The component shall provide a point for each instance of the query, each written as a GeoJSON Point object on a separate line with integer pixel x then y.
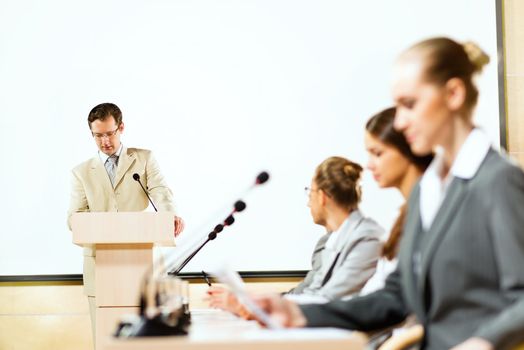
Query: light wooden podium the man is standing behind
{"type": "Point", "coordinates": [124, 252]}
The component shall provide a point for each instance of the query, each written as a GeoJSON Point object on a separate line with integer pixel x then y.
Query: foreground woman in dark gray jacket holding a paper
{"type": "Point", "coordinates": [461, 259]}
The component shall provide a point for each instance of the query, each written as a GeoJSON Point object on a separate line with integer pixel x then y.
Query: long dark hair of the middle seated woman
{"type": "Point", "coordinates": [381, 127]}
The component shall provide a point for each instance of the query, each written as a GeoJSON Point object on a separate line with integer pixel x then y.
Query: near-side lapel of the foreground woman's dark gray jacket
{"type": "Point", "coordinates": [445, 215]}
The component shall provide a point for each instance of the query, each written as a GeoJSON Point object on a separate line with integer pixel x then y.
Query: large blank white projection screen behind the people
{"type": "Point", "coordinates": [219, 90]}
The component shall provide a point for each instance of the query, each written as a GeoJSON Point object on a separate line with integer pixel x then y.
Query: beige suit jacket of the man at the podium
{"type": "Point", "coordinates": [92, 192]}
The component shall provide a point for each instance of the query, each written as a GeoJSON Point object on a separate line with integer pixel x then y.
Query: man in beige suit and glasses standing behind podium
{"type": "Point", "coordinates": [105, 182]}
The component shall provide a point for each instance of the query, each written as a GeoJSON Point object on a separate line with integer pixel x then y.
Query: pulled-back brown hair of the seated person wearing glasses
{"type": "Point", "coordinates": [339, 178]}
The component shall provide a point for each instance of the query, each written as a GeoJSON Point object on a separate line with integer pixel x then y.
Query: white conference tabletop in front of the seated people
{"type": "Point", "coordinates": [219, 330]}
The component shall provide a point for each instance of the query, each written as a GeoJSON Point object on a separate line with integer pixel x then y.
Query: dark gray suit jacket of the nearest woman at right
{"type": "Point", "coordinates": [464, 277]}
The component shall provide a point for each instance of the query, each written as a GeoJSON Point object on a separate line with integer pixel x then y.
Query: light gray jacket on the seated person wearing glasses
{"type": "Point", "coordinates": [354, 261]}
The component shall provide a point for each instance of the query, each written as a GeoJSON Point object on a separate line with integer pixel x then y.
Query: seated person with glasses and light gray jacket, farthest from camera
{"type": "Point", "coordinates": [346, 256]}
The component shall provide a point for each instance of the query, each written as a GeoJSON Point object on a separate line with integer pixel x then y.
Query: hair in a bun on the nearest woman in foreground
{"type": "Point", "coordinates": [446, 59]}
